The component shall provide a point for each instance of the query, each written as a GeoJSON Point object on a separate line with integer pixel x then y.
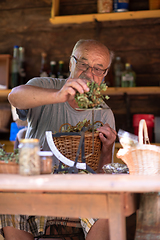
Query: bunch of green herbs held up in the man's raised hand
{"type": "Point", "coordinates": [93, 98]}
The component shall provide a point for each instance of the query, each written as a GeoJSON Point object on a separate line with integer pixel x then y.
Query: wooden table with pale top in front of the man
{"type": "Point", "coordinates": [81, 195]}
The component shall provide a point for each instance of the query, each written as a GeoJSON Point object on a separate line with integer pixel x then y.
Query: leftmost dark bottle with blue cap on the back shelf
{"type": "Point", "coordinates": [15, 68]}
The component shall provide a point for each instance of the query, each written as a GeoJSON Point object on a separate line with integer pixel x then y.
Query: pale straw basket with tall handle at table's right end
{"type": "Point", "coordinates": [143, 159]}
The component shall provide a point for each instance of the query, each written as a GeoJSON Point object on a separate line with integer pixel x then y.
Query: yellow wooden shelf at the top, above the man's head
{"type": "Point", "coordinates": [69, 19]}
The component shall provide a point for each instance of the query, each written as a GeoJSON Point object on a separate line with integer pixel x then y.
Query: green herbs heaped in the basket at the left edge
{"type": "Point", "coordinates": [9, 157]}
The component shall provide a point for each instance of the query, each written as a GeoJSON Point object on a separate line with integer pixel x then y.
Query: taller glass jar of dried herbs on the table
{"type": "Point", "coordinates": [29, 161]}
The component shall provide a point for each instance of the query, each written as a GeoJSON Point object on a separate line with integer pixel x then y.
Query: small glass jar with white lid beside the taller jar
{"type": "Point", "coordinates": [46, 161]}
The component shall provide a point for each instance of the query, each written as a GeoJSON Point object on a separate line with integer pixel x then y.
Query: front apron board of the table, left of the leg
{"type": "Point", "coordinates": [31, 204]}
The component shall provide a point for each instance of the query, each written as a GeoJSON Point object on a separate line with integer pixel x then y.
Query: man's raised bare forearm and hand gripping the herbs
{"type": "Point", "coordinates": [27, 96]}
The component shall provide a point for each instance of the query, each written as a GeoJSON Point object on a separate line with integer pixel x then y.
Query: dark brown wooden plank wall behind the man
{"type": "Point", "coordinates": [26, 23]}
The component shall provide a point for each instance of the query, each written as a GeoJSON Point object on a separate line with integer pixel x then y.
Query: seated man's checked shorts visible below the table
{"type": "Point", "coordinates": [37, 224]}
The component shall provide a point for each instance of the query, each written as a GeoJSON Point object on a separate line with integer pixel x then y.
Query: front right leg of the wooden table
{"type": "Point", "coordinates": [117, 220]}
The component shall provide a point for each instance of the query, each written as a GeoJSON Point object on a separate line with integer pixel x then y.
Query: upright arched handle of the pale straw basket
{"type": "Point", "coordinates": [143, 129]}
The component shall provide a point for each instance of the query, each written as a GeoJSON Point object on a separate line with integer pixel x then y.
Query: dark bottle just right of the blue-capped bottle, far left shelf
{"type": "Point", "coordinates": [22, 70]}
